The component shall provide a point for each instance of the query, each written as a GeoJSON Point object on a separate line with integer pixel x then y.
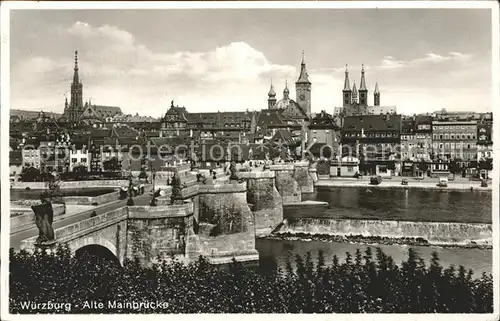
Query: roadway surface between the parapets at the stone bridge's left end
{"type": "Point", "coordinates": [16, 238]}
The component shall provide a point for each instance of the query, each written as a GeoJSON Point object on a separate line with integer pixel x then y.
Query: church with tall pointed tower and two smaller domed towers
{"type": "Point", "coordinates": [300, 109]}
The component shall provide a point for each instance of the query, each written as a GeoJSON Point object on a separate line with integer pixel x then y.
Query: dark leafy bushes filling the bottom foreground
{"type": "Point", "coordinates": [365, 282]}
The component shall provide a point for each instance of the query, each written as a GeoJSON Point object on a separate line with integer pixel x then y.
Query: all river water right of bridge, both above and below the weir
{"type": "Point", "coordinates": [391, 204]}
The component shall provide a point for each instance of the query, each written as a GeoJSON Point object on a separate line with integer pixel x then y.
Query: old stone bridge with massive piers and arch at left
{"type": "Point", "coordinates": [219, 221]}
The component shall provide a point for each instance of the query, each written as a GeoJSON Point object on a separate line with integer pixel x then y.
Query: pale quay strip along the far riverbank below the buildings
{"type": "Point", "coordinates": [395, 183]}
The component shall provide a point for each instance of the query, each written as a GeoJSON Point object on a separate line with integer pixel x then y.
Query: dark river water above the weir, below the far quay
{"type": "Point", "coordinates": [402, 205]}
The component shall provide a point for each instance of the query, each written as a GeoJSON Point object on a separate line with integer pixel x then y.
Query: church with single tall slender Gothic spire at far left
{"type": "Point", "coordinates": [76, 112]}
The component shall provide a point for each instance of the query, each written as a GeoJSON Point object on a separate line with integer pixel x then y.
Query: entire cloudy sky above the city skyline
{"type": "Point", "coordinates": [225, 59]}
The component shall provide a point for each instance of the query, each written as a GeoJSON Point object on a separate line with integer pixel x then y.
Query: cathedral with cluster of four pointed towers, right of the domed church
{"type": "Point", "coordinates": [355, 101]}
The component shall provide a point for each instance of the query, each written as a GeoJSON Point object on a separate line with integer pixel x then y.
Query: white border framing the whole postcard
{"type": "Point", "coordinates": [4, 130]}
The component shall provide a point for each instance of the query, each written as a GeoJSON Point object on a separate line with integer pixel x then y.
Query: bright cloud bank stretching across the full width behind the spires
{"type": "Point", "coordinates": [117, 69]}
